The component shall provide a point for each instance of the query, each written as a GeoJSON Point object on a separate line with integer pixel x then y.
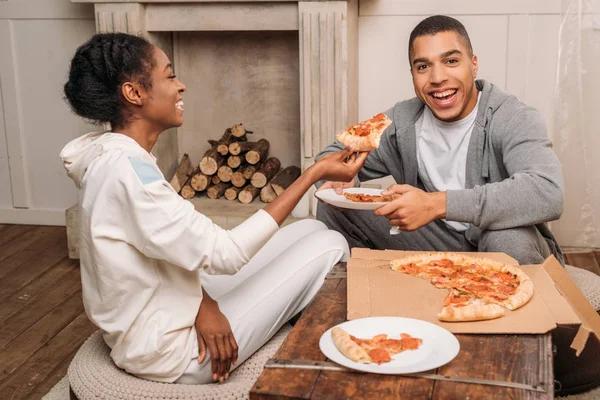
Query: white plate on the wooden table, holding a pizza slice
{"type": "Point", "coordinates": [438, 348]}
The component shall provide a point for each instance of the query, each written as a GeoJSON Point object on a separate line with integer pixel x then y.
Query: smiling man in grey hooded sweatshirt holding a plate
{"type": "Point", "coordinates": [475, 167]}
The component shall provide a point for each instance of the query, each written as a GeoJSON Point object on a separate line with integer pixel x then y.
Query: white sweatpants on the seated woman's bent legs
{"type": "Point", "coordinates": [277, 283]}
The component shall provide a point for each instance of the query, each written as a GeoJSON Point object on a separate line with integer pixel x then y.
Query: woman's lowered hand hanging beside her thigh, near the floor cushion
{"type": "Point", "coordinates": [214, 332]}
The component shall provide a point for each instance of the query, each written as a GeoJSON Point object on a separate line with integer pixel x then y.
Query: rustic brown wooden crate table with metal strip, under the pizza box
{"type": "Point", "coordinates": [524, 361]}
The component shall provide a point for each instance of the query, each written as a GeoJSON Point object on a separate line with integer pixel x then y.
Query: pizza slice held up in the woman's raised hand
{"type": "Point", "coordinates": [365, 135]}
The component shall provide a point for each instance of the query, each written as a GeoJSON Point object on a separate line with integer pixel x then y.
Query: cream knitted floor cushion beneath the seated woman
{"type": "Point", "coordinates": [93, 375]}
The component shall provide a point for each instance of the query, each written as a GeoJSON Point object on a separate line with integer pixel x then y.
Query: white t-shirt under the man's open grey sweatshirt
{"type": "Point", "coordinates": [442, 154]}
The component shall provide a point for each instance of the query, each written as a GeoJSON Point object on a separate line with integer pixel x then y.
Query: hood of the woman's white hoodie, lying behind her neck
{"type": "Point", "coordinates": [79, 153]}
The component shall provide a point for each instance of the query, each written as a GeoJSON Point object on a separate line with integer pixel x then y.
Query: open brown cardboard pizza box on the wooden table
{"type": "Point", "coordinates": [374, 289]}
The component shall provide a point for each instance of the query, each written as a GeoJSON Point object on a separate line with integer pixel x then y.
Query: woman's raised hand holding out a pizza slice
{"type": "Point", "coordinates": [341, 166]}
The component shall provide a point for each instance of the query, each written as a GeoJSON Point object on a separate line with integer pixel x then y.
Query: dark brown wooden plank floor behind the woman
{"type": "Point", "coordinates": [42, 322]}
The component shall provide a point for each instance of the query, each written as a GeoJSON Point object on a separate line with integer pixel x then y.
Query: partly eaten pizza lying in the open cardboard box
{"type": "Point", "coordinates": [478, 288]}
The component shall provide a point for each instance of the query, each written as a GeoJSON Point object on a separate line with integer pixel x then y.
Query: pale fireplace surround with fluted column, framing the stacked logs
{"type": "Point", "coordinates": [327, 37]}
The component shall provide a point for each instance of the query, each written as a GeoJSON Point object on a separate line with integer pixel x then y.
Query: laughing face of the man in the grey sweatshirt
{"type": "Point", "coordinates": [444, 74]}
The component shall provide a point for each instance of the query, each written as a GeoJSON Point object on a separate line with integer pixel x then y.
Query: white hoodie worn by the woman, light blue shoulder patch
{"type": "Point", "coordinates": [141, 246]}
